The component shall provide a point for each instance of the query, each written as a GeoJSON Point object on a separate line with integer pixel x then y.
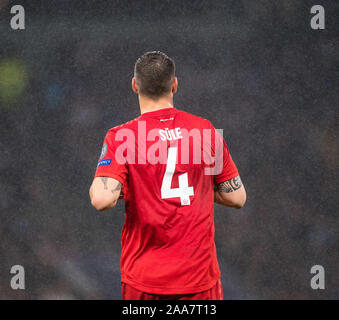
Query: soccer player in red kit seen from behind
{"type": "Point", "coordinates": [161, 164]}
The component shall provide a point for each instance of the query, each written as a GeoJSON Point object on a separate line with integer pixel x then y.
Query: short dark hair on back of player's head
{"type": "Point", "coordinates": [154, 72]}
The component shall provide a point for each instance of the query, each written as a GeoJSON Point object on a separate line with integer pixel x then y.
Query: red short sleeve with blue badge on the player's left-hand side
{"type": "Point", "coordinates": [108, 164]}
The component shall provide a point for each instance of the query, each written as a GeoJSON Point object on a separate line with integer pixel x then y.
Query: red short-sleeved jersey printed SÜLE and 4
{"type": "Point", "coordinates": [168, 236]}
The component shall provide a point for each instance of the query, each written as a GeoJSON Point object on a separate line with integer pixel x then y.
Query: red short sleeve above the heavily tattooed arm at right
{"type": "Point", "coordinates": [228, 169]}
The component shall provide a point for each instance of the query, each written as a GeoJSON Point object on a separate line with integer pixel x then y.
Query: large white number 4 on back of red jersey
{"type": "Point", "coordinates": [184, 191]}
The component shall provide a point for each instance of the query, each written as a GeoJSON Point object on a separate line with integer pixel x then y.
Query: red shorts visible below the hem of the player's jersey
{"type": "Point", "coordinates": [214, 293]}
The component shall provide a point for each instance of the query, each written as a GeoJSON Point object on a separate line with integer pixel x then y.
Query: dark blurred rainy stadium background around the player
{"type": "Point", "coordinates": [254, 68]}
